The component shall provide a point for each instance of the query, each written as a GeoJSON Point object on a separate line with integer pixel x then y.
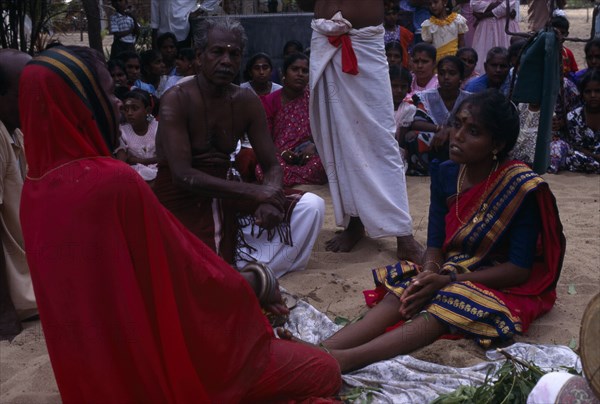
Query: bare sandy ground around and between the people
{"type": "Point", "coordinates": [333, 282]}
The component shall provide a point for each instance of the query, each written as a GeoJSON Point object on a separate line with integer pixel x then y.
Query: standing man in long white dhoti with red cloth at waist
{"type": "Point", "coordinates": [352, 121]}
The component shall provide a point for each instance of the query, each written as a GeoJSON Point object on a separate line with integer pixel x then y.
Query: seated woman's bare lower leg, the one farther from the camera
{"type": "Point", "coordinates": [375, 322]}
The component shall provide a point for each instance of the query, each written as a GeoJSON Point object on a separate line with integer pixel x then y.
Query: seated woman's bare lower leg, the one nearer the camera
{"type": "Point", "coordinates": [423, 330]}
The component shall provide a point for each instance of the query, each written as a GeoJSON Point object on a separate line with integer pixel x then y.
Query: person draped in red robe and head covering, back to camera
{"type": "Point", "coordinates": [134, 308]}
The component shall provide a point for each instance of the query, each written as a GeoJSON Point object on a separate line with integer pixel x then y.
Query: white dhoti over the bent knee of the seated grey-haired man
{"type": "Point", "coordinates": [305, 224]}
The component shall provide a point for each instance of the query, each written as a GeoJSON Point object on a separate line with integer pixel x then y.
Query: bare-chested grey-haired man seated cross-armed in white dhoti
{"type": "Point", "coordinates": [201, 122]}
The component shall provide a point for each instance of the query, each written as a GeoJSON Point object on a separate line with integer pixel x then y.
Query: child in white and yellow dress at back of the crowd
{"type": "Point", "coordinates": [445, 31]}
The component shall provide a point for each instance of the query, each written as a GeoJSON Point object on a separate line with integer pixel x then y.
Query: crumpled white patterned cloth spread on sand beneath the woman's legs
{"type": "Point", "coordinates": [405, 379]}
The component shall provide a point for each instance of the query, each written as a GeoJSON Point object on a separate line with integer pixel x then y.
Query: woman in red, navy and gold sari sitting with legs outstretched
{"type": "Point", "coordinates": [495, 248]}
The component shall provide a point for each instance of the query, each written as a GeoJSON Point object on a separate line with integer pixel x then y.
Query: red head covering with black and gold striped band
{"type": "Point", "coordinates": [65, 113]}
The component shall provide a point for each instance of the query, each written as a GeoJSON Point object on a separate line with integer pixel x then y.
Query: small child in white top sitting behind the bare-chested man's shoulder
{"type": "Point", "coordinates": [137, 144]}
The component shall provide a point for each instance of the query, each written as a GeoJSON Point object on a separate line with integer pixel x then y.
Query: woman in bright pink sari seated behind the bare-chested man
{"type": "Point", "coordinates": [287, 116]}
